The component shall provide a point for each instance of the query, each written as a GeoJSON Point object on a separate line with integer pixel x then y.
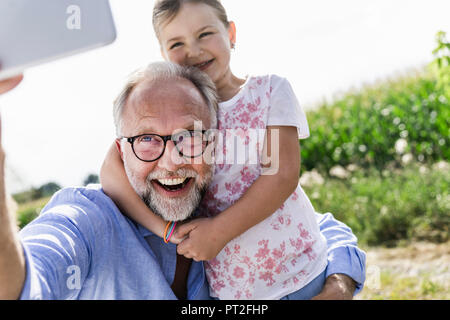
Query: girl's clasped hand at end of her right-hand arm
{"type": "Point", "coordinates": [203, 241]}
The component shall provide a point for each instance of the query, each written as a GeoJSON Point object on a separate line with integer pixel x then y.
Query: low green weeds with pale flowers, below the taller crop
{"type": "Point", "coordinates": [382, 208]}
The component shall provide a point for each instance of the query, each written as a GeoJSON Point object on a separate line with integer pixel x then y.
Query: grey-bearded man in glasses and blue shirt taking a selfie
{"type": "Point", "coordinates": [82, 247]}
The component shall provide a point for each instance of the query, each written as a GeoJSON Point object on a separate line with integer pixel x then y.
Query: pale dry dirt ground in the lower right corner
{"type": "Point", "coordinates": [416, 271]}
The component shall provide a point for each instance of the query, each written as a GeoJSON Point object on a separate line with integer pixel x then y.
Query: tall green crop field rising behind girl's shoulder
{"type": "Point", "coordinates": [363, 127]}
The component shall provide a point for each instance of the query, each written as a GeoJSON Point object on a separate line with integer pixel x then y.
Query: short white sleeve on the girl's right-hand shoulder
{"type": "Point", "coordinates": [285, 110]}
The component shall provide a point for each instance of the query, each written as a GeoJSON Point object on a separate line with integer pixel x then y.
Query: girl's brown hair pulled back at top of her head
{"type": "Point", "coordinates": [166, 10]}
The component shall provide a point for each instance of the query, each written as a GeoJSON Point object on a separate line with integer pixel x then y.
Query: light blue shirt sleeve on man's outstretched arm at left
{"type": "Point", "coordinates": [57, 247]}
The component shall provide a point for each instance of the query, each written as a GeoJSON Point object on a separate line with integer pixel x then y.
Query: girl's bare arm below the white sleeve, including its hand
{"type": "Point", "coordinates": [208, 236]}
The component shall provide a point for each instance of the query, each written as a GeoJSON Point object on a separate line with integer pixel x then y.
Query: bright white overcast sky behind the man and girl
{"type": "Point", "coordinates": [57, 125]}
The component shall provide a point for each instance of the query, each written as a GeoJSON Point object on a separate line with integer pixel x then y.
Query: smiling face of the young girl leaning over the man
{"type": "Point", "coordinates": [197, 37]}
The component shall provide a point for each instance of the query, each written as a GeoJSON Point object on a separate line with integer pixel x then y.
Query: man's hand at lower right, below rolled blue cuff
{"type": "Point", "coordinates": [337, 287]}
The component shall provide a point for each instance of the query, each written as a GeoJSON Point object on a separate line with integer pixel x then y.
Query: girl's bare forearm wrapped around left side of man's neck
{"type": "Point", "coordinates": [116, 185]}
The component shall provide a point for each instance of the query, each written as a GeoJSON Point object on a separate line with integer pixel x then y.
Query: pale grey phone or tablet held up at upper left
{"type": "Point", "coordinates": [33, 32]}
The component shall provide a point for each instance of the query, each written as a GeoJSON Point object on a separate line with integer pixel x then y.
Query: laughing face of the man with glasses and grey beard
{"type": "Point", "coordinates": [173, 185]}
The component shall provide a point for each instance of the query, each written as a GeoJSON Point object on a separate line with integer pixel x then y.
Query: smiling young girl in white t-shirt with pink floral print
{"type": "Point", "coordinates": [258, 232]}
